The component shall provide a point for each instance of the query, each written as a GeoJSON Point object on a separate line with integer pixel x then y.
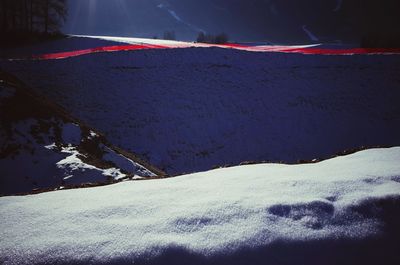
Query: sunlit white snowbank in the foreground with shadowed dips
{"type": "Point", "coordinates": [226, 216]}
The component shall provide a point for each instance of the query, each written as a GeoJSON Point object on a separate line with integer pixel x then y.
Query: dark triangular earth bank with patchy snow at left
{"type": "Point", "coordinates": [41, 147]}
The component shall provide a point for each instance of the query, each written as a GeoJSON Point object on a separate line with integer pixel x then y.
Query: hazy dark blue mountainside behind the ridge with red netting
{"type": "Point", "coordinates": [279, 21]}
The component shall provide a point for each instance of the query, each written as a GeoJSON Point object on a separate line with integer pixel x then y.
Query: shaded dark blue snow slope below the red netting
{"type": "Point", "coordinates": [187, 110]}
